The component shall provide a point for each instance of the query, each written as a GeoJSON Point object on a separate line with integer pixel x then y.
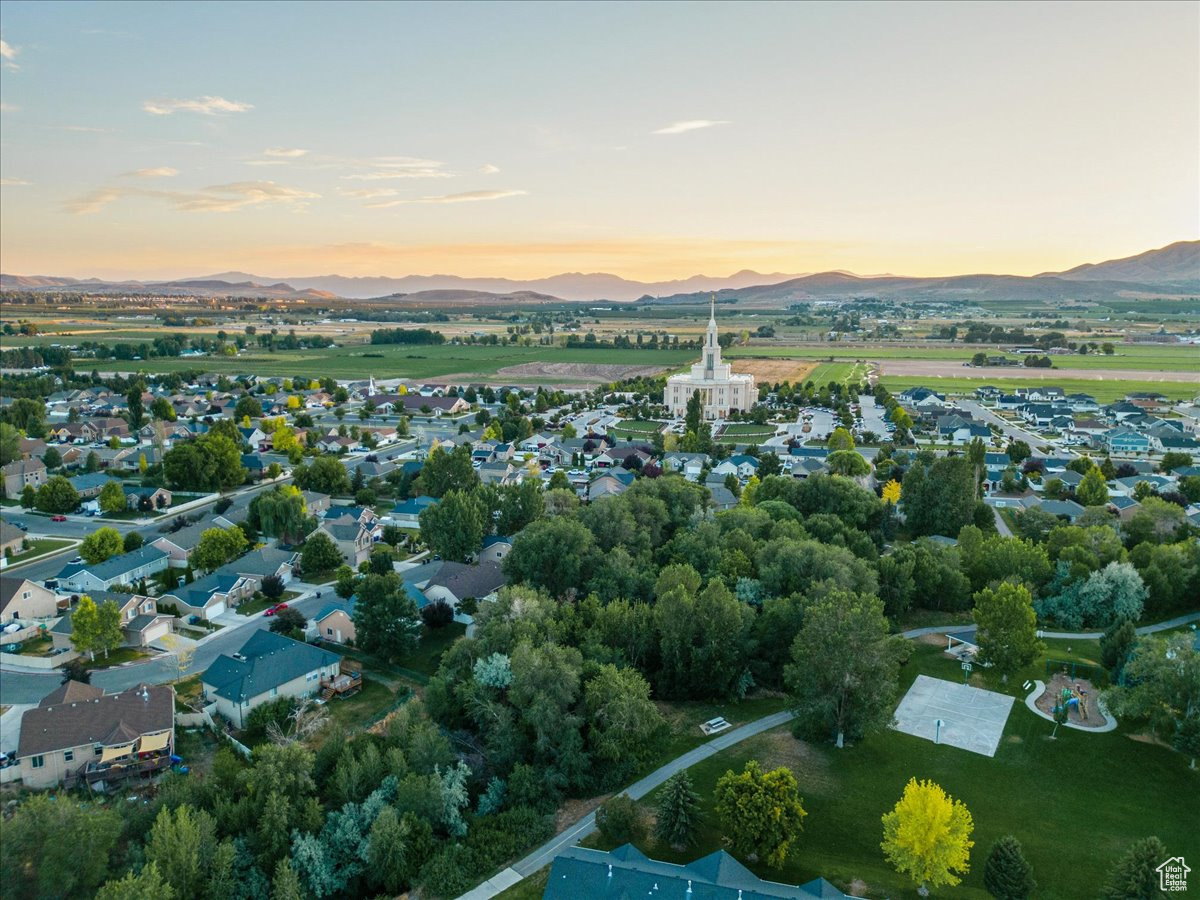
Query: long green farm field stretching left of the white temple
{"type": "Point", "coordinates": [406, 362]}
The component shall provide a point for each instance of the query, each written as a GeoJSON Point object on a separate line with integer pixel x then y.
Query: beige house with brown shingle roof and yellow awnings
{"type": "Point", "coordinates": [81, 735]}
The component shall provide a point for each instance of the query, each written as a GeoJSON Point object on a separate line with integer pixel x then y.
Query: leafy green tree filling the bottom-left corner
{"type": "Point", "coordinates": [56, 848]}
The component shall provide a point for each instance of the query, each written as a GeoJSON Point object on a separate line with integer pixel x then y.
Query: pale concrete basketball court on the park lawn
{"type": "Point", "coordinates": [956, 715]}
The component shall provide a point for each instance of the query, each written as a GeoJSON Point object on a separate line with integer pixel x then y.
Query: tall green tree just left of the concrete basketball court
{"type": "Point", "coordinates": [845, 665]}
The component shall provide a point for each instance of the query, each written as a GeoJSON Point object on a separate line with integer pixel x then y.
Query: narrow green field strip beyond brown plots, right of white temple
{"type": "Point", "coordinates": [1168, 358]}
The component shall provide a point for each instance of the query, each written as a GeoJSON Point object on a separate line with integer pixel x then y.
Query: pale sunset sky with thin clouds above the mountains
{"type": "Point", "coordinates": [652, 141]}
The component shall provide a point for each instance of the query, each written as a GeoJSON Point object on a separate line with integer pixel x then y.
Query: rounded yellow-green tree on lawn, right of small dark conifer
{"type": "Point", "coordinates": [761, 814]}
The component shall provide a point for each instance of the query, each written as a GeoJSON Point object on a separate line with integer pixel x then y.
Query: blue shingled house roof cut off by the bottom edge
{"type": "Point", "coordinates": [628, 873]}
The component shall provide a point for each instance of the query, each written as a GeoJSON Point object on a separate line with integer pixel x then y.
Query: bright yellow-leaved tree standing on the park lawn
{"type": "Point", "coordinates": [928, 836]}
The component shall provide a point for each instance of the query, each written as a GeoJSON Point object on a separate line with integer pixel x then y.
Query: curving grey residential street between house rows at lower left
{"type": "Point", "coordinates": [29, 687]}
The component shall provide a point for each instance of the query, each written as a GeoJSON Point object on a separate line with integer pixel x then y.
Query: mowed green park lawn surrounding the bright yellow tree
{"type": "Point", "coordinates": [1076, 803]}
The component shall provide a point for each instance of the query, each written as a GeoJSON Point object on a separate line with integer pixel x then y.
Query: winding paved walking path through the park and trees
{"type": "Point", "coordinates": [583, 827]}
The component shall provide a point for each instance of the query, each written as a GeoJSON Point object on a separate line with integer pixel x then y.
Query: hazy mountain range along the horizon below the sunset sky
{"type": "Point", "coordinates": [1173, 271]}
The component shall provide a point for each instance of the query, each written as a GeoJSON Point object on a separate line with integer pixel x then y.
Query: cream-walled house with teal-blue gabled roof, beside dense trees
{"type": "Point", "coordinates": [268, 667]}
